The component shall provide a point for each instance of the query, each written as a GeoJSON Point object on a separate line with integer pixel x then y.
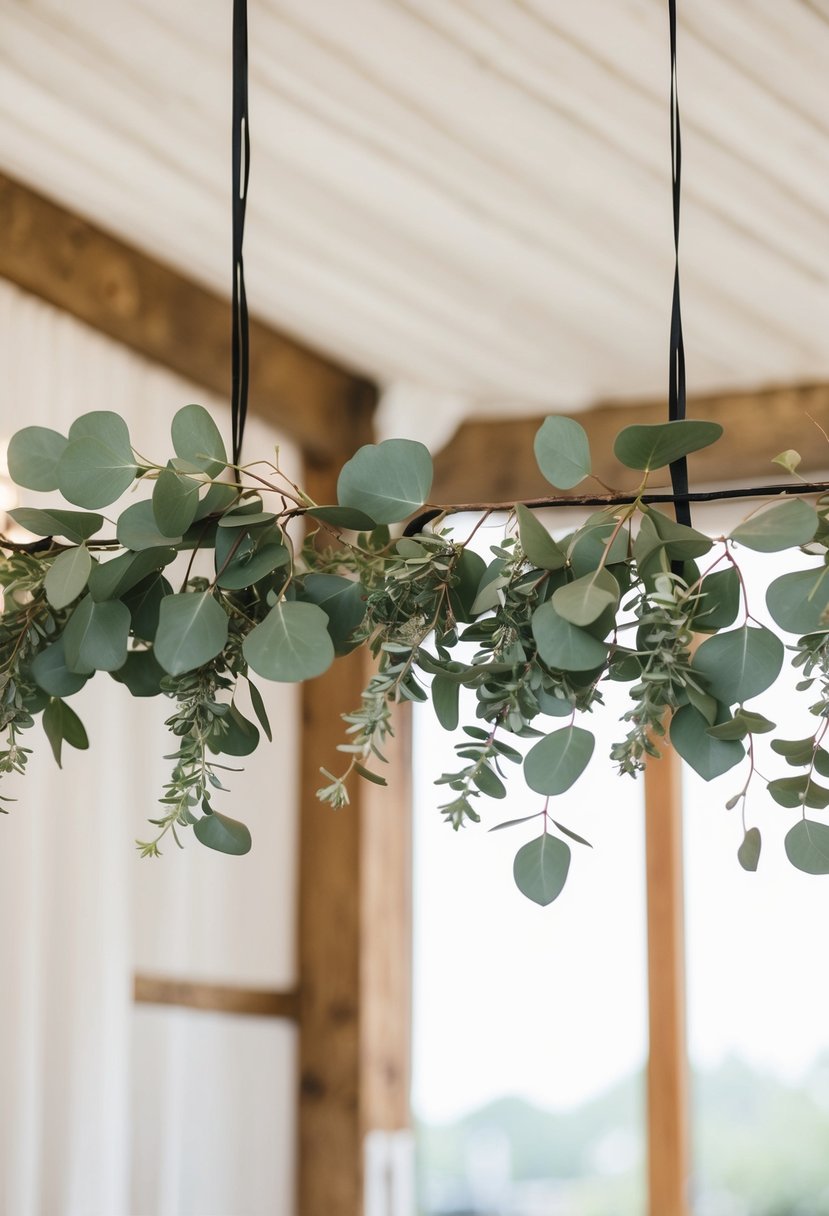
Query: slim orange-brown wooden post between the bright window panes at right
{"type": "Point", "coordinates": [668, 1068]}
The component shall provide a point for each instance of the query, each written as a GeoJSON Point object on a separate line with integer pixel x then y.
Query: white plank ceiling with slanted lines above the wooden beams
{"type": "Point", "coordinates": [466, 198]}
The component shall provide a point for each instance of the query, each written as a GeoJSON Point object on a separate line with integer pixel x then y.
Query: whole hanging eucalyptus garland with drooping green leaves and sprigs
{"type": "Point", "coordinates": [217, 581]}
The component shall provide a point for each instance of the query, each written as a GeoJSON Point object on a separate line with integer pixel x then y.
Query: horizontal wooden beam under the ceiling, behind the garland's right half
{"type": "Point", "coordinates": [493, 459]}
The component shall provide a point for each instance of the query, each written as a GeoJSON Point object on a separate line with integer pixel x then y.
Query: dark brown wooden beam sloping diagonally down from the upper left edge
{"type": "Point", "coordinates": [174, 322]}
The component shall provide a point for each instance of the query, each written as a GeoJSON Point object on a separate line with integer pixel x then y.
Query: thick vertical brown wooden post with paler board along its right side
{"type": "Point", "coordinates": [354, 945]}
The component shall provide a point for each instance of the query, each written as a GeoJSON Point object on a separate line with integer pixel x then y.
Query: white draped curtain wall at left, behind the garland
{"type": "Point", "coordinates": [106, 1110]}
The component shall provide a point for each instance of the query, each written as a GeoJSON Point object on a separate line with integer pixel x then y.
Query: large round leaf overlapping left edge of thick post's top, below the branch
{"type": "Point", "coordinates": [292, 644]}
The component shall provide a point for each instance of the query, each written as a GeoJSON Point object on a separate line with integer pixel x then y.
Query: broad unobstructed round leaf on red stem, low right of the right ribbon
{"type": "Point", "coordinates": [741, 663]}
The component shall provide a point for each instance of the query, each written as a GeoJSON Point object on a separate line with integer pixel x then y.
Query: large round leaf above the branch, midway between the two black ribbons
{"type": "Point", "coordinates": [388, 481]}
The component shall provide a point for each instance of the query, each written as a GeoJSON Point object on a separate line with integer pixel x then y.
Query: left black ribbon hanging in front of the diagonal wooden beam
{"type": "Point", "coordinates": [241, 170]}
